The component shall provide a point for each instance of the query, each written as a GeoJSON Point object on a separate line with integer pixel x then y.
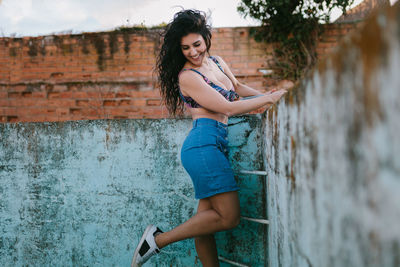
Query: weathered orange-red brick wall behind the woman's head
{"type": "Point", "coordinates": [109, 74]}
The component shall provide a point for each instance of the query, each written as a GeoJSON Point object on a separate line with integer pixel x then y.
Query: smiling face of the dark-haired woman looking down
{"type": "Point", "coordinates": [194, 48]}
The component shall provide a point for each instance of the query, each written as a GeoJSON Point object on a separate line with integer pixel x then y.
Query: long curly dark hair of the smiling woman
{"type": "Point", "coordinates": [171, 60]}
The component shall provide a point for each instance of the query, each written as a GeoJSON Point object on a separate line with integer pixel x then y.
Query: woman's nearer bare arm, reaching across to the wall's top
{"type": "Point", "coordinates": [193, 85]}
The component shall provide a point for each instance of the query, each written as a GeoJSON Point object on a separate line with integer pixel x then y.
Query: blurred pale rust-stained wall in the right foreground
{"type": "Point", "coordinates": [332, 157]}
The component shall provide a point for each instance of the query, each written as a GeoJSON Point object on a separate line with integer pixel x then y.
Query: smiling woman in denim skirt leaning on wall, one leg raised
{"type": "Point", "coordinates": [188, 75]}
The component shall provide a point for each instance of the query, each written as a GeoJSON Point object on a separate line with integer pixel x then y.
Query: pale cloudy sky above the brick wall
{"type": "Point", "coordinates": [45, 17]}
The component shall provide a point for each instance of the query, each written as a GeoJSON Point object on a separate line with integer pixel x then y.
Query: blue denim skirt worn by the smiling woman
{"type": "Point", "coordinates": [204, 156]}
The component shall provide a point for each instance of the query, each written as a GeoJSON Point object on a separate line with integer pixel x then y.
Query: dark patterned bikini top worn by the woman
{"type": "Point", "coordinates": [230, 95]}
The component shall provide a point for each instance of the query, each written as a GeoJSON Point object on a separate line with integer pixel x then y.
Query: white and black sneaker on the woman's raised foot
{"type": "Point", "coordinates": [147, 246]}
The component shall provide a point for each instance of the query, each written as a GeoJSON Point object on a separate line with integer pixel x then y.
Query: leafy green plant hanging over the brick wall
{"type": "Point", "coordinates": [292, 26]}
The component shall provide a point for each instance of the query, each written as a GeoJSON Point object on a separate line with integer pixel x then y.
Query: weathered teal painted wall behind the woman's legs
{"type": "Point", "coordinates": [80, 193]}
